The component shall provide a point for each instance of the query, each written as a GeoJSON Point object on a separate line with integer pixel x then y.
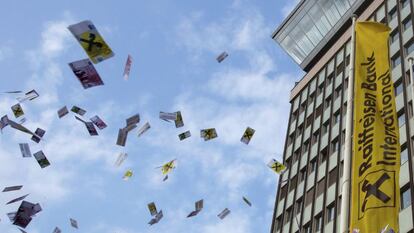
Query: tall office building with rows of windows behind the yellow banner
{"type": "Point", "coordinates": [317, 36]}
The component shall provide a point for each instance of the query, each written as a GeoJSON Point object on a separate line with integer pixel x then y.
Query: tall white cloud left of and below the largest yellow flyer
{"type": "Point", "coordinates": [57, 181]}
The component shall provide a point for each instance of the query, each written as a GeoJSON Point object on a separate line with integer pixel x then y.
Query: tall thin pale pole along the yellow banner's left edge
{"type": "Point", "coordinates": [346, 178]}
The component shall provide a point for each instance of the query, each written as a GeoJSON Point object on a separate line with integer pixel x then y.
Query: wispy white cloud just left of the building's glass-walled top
{"type": "Point", "coordinates": [234, 33]}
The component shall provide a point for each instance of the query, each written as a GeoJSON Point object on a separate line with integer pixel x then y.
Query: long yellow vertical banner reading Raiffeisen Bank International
{"type": "Point", "coordinates": [376, 158]}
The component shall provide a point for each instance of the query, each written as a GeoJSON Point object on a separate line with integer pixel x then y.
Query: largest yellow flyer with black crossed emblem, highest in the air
{"type": "Point", "coordinates": [91, 41]}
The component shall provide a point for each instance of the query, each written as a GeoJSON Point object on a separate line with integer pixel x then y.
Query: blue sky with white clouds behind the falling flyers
{"type": "Point", "coordinates": [174, 45]}
